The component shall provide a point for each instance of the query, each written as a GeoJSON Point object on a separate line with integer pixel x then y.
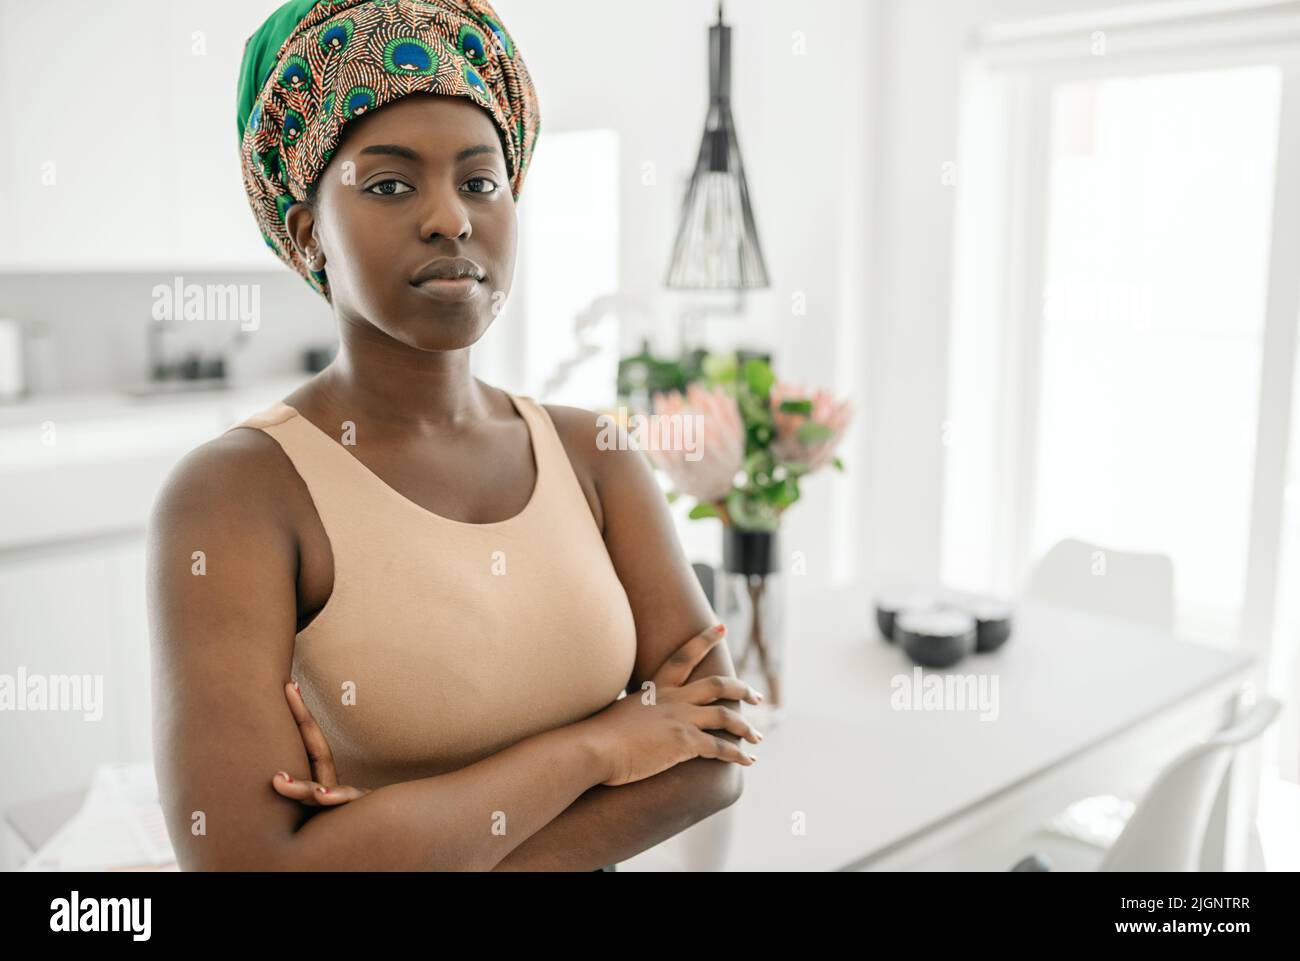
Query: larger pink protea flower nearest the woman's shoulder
{"type": "Point", "coordinates": [717, 453]}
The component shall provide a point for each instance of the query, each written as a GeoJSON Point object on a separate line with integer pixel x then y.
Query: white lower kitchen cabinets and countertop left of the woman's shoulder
{"type": "Point", "coordinates": [72, 568]}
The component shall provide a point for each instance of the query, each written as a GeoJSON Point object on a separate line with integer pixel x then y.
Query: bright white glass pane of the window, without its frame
{"type": "Point", "coordinates": [1159, 214]}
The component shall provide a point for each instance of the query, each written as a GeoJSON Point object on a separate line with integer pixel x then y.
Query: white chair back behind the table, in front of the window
{"type": "Point", "coordinates": [1121, 585]}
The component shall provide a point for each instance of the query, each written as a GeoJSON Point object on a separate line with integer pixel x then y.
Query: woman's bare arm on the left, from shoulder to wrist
{"type": "Point", "coordinates": [223, 648]}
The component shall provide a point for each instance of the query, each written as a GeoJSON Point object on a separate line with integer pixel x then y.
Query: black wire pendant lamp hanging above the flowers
{"type": "Point", "coordinates": [717, 246]}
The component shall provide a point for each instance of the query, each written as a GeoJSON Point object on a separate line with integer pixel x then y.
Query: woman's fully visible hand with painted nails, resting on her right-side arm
{"type": "Point", "coordinates": [651, 731]}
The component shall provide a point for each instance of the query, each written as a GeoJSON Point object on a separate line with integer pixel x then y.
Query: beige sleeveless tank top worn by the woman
{"type": "Point", "coordinates": [444, 642]}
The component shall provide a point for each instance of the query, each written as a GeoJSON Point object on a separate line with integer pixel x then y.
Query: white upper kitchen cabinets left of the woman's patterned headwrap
{"type": "Point", "coordinates": [129, 155]}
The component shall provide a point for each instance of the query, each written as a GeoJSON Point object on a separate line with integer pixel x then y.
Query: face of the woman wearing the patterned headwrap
{"type": "Point", "coordinates": [422, 179]}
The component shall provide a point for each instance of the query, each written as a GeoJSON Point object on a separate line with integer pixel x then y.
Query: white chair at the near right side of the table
{"type": "Point", "coordinates": [1167, 830]}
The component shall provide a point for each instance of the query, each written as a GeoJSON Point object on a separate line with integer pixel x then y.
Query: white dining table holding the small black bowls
{"type": "Point", "coordinates": [1085, 705]}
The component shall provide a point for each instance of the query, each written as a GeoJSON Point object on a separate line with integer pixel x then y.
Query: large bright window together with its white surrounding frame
{"type": "Point", "coordinates": [1126, 310]}
